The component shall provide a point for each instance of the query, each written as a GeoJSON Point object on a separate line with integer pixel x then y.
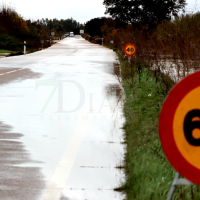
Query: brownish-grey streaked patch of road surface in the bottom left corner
{"type": "Point", "coordinates": [17, 182]}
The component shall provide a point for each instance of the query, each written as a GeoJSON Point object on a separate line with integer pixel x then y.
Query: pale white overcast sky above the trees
{"type": "Point", "coordinates": [80, 10]}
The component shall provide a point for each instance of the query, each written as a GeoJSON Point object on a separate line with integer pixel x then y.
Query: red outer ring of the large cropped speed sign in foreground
{"type": "Point", "coordinates": [170, 105]}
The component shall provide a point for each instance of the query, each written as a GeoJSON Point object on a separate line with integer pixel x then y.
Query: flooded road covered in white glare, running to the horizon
{"type": "Point", "coordinates": [60, 124]}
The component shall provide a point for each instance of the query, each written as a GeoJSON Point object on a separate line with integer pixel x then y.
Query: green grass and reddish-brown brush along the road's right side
{"type": "Point", "coordinates": [167, 51]}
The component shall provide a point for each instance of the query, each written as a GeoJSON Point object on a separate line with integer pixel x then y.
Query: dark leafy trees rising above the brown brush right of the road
{"type": "Point", "coordinates": [141, 14]}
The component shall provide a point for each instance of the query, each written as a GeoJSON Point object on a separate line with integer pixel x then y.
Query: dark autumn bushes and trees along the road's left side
{"type": "Point", "coordinates": [14, 30]}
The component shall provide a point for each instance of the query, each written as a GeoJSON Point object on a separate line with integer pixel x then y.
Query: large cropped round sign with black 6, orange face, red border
{"type": "Point", "coordinates": [179, 127]}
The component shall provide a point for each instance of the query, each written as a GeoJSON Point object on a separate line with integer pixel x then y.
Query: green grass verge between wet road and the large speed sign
{"type": "Point", "coordinates": [148, 173]}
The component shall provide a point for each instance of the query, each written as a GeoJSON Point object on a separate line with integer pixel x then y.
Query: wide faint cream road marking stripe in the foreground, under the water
{"type": "Point", "coordinates": [62, 172]}
